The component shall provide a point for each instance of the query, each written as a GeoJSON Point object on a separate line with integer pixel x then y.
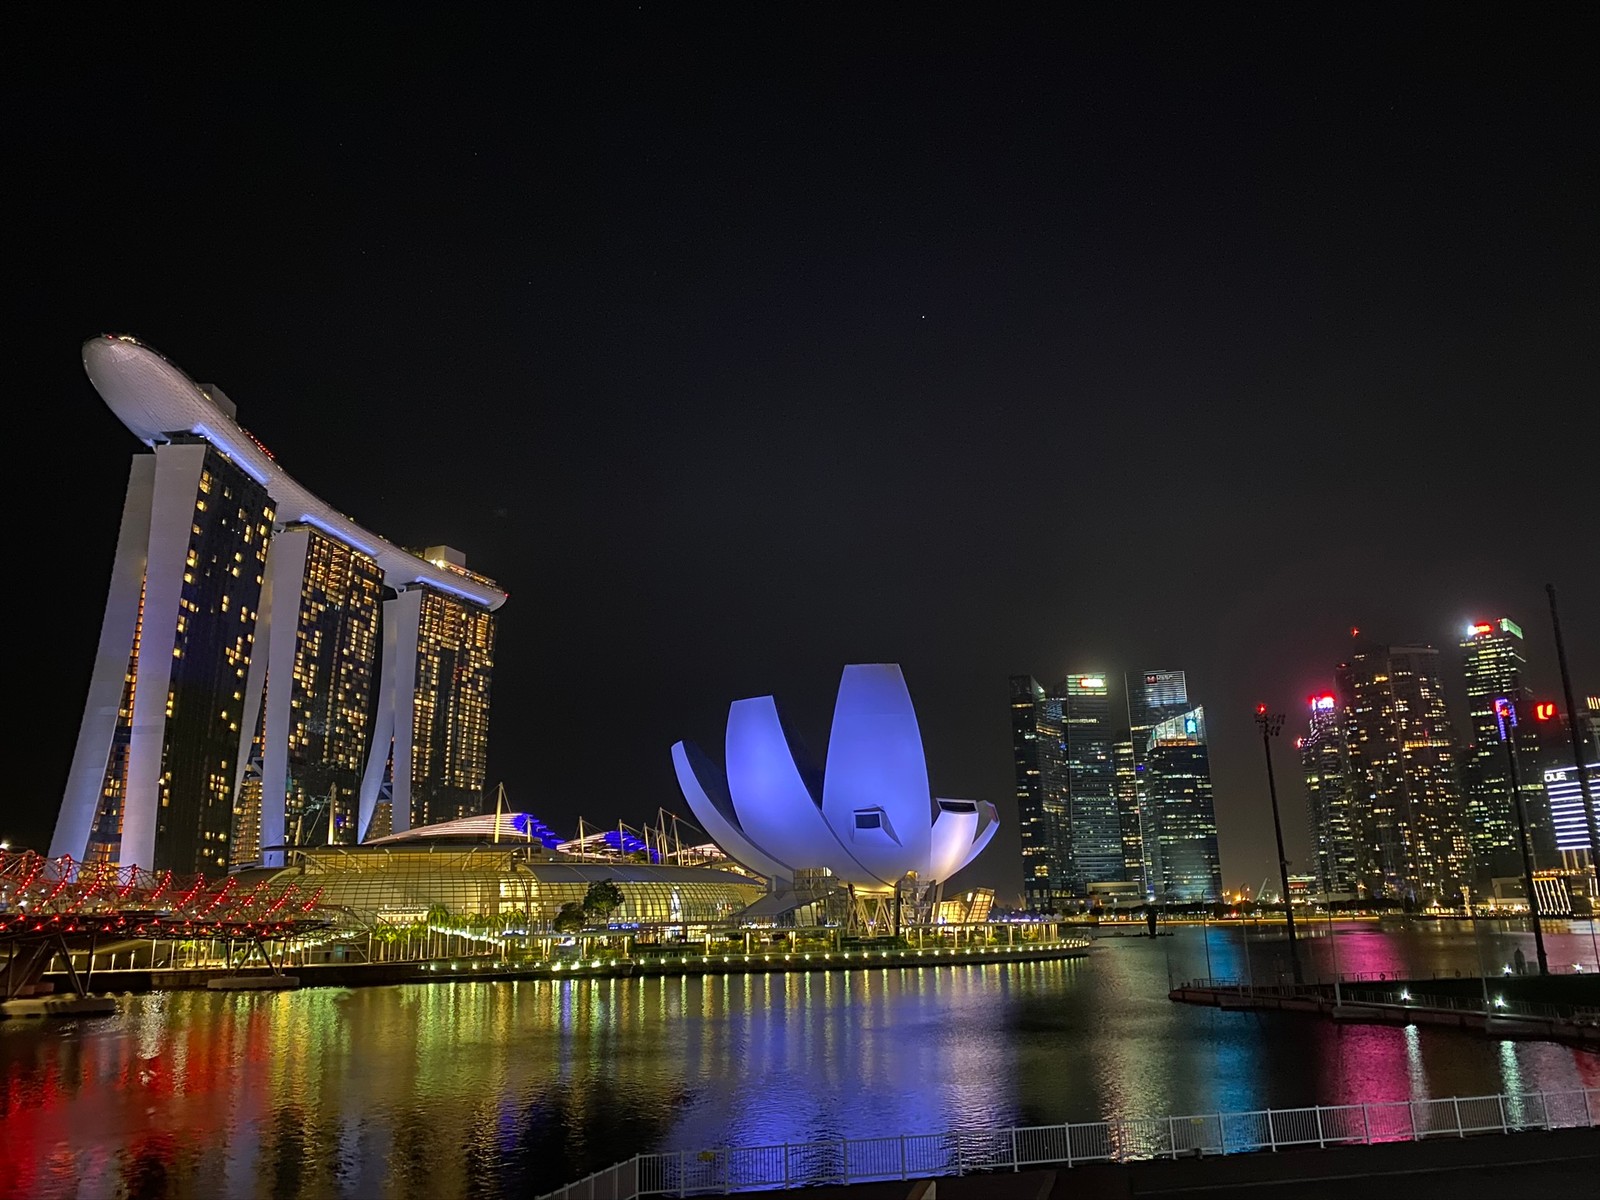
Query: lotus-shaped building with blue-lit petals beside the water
{"type": "Point", "coordinates": [870, 817]}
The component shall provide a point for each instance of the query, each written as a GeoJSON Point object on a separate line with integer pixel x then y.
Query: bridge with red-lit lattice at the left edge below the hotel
{"type": "Point", "coordinates": [55, 906]}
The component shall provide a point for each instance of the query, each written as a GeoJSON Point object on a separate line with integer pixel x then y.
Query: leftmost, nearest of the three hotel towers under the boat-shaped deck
{"type": "Point", "coordinates": [153, 770]}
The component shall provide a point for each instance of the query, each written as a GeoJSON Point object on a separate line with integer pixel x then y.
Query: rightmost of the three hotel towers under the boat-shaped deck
{"type": "Point", "coordinates": [431, 742]}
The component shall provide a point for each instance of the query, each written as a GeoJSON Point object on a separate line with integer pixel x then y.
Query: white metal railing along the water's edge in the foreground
{"type": "Point", "coordinates": [852, 1161]}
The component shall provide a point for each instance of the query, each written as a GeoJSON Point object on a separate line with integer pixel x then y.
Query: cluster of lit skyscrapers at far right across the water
{"type": "Point", "coordinates": [1412, 802]}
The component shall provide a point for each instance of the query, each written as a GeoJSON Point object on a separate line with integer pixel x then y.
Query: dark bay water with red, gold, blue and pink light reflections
{"type": "Point", "coordinates": [511, 1089]}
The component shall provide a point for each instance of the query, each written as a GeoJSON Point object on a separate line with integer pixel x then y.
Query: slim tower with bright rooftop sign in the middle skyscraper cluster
{"type": "Point", "coordinates": [1095, 822]}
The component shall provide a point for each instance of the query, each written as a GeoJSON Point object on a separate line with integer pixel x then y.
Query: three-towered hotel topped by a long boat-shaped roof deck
{"type": "Point", "coordinates": [270, 673]}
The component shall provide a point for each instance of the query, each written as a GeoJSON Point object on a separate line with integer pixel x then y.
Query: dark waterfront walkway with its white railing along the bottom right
{"type": "Point", "coordinates": [876, 1167]}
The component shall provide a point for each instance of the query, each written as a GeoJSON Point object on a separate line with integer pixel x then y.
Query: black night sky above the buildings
{"type": "Point", "coordinates": [743, 343]}
